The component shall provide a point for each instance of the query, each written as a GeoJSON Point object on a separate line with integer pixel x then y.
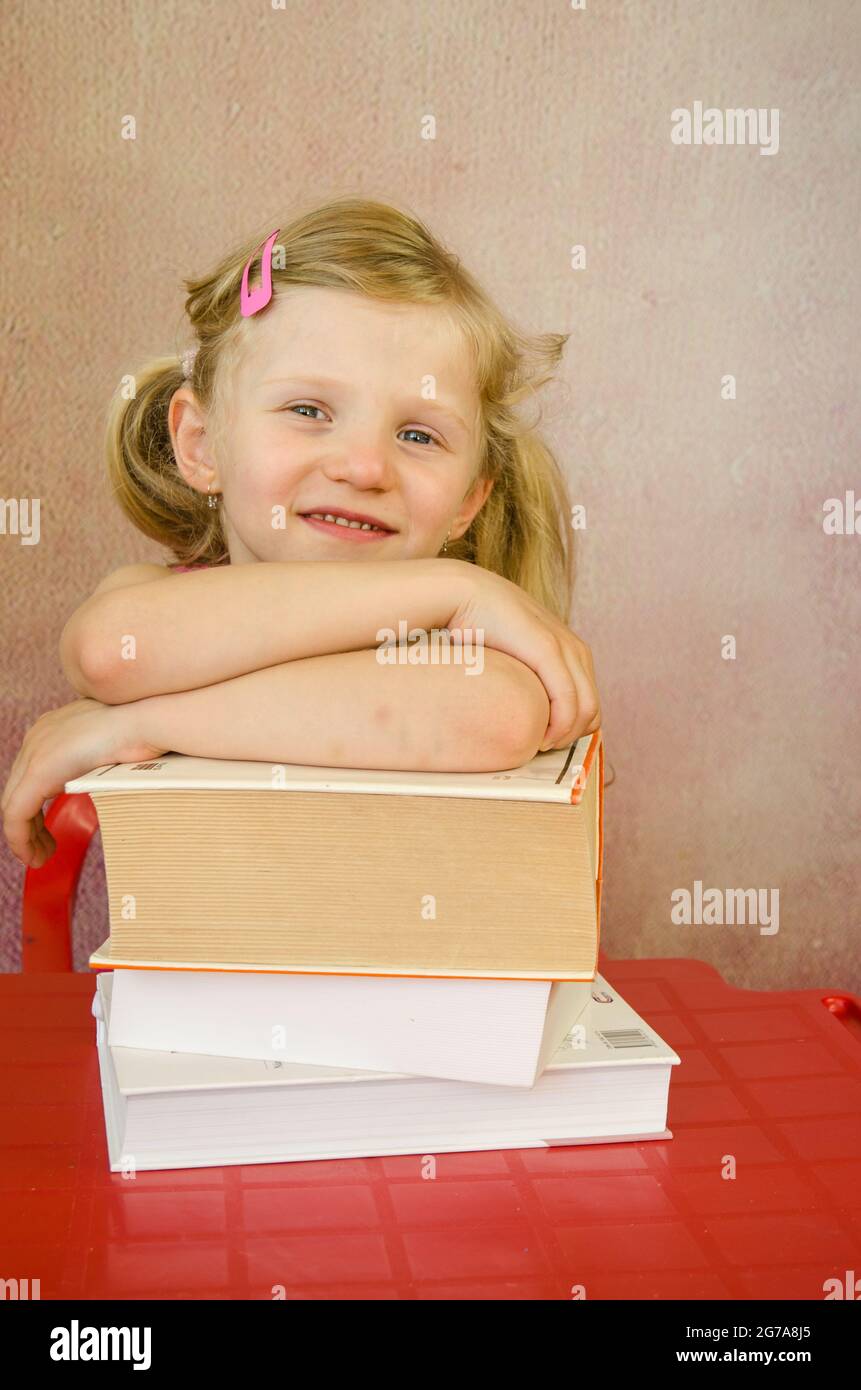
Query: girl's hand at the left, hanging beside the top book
{"type": "Point", "coordinates": [63, 744]}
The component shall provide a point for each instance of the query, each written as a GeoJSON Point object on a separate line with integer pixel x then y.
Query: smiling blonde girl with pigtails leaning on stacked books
{"type": "Point", "coordinates": [358, 405]}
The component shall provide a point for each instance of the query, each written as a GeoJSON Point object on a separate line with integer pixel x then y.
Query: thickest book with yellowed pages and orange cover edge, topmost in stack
{"type": "Point", "coordinates": [272, 867]}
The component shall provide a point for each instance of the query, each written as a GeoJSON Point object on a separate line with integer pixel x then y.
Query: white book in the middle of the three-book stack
{"type": "Point", "coordinates": [501, 1032]}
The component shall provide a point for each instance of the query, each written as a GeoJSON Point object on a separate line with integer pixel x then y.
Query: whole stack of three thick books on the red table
{"type": "Point", "coordinates": [318, 963]}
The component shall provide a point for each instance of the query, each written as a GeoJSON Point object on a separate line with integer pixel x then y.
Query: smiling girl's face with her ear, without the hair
{"type": "Point", "coordinates": [329, 415]}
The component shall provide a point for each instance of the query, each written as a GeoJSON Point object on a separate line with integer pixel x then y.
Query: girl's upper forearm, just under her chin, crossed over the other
{"type": "Point", "coordinates": [194, 630]}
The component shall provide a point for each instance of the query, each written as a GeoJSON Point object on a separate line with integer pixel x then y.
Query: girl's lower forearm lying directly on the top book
{"type": "Point", "coordinates": [350, 711]}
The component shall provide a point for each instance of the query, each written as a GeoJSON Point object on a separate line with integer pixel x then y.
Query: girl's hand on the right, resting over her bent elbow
{"type": "Point", "coordinates": [521, 626]}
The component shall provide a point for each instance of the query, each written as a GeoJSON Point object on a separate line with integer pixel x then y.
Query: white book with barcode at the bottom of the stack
{"type": "Point", "coordinates": [607, 1084]}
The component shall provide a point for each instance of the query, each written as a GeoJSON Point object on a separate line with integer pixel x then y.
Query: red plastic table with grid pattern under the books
{"type": "Point", "coordinates": [773, 1079]}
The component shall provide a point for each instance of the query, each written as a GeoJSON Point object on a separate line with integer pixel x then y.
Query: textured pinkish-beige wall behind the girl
{"type": "Point", "coordinates": [705, 516]}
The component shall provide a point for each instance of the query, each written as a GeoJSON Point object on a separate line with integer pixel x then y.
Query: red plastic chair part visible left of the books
{"type": "Point", "coordinates": [51, 892]}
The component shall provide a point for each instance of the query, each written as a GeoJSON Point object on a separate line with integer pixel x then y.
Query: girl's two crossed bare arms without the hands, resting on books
{"type": "Point", "coordinates": [276, 662]}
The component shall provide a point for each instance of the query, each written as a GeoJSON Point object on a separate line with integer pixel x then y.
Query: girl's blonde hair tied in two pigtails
{"type": "Point", "coordinates": [524, 529]}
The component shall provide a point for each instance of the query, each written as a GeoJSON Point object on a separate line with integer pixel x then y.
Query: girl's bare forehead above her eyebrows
{"type": "Point", "coordinates": [336, 333]}
